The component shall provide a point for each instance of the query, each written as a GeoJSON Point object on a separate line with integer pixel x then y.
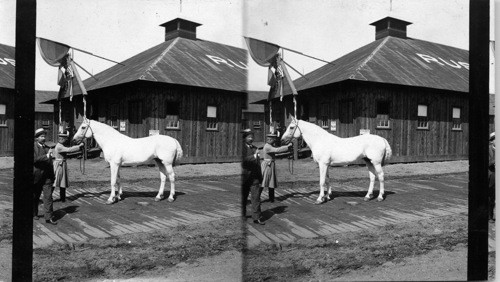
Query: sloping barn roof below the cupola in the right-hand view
{"type": "Point", "coordinates": [395, 60]}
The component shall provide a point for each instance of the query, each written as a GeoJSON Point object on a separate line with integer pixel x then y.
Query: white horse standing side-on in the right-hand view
{"type": "Point", "coordinates": [328, 150]}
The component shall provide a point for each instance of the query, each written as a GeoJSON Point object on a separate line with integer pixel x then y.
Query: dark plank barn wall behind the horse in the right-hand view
{"type": "Point", "coordinates": [409, 144]}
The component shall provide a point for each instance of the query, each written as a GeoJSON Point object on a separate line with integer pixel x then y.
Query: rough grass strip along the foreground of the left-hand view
{"type": "Point", "coordinates": [135, 254]}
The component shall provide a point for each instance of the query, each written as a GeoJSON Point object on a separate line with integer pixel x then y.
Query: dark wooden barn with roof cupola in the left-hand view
{"type": "Point", "coordinates": [191, 89]}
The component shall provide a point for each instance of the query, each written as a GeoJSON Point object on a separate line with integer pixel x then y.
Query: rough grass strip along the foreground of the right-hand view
{"type": "Point", "coordinates": [369, 248]}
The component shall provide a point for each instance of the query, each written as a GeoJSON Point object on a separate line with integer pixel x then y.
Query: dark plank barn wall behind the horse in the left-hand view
{"type": "Point", "coordinates": [199, 144]}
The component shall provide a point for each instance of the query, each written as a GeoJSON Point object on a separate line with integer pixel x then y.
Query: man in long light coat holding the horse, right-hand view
{"type": "Point", "coordinates": [269, 179]}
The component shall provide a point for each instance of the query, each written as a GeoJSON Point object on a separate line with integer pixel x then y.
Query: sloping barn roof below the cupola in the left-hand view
{"type": "Point", "coordinates": [181, 61]}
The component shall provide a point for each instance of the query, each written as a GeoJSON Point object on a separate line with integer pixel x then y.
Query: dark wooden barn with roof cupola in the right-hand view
{"type": "Point", "coordinates": [410, 91]}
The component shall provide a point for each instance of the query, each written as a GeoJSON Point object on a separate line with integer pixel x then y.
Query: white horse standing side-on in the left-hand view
{"type": "Point", "coordinates": [120, 149]}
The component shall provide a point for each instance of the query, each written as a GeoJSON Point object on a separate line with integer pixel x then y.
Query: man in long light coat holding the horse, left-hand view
{"type": "Point", "coordinates": [60, 166]}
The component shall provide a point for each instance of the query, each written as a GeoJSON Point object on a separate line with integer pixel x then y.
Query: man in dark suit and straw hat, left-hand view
{"type": "Point", "coordinates": [43, 177]}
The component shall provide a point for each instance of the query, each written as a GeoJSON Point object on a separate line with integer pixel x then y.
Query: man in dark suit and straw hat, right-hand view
{"type": "Point", "coordinates": [251, 177]}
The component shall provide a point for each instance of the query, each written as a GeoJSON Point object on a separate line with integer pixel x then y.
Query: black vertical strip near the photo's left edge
{"type": "Point", "coordinates": [24, 116]}
